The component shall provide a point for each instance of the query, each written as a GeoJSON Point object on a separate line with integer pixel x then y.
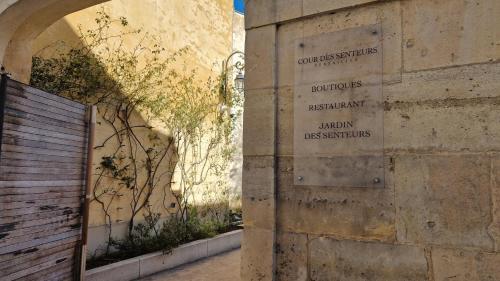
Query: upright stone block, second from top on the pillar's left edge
{"type": "Point", "coordinates": [260, 48]}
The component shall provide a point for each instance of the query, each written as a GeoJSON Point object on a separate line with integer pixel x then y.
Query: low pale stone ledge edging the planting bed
{"type": "Point", "coordinates": [148, 264]}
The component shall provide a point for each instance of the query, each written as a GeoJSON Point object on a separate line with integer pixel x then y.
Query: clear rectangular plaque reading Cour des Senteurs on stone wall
{"type": "Point", "coordinates": [338, 109]}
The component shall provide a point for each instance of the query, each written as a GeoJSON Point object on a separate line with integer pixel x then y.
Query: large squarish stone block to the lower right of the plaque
{"type": "Point", "coordinates": [443, 200]}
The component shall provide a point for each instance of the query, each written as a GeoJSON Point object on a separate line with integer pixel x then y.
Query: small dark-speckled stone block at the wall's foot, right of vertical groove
{"type": "Point", "coordinates": [291, 257]}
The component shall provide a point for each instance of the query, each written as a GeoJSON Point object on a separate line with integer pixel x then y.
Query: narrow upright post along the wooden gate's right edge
{"type": "Point", "coordinates": [92, 110]}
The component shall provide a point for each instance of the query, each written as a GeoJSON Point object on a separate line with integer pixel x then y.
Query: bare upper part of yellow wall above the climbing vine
{"type": "Point", "coordinates": [204, 26]}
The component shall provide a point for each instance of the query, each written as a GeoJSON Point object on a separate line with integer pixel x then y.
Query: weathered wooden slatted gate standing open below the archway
{"type": "Point", "coordinates": [43, 156]}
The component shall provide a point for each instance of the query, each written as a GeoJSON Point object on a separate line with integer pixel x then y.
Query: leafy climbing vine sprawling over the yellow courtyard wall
{"type": "Point", "coordinates": [163, 133]}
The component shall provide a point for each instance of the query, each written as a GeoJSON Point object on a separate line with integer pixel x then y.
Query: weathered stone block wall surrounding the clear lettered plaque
{"type": "Point", "coordinates": [438, 217]}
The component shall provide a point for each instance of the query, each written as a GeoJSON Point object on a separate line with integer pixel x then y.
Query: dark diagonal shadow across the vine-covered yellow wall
{"type": "Point", "coordinates": [133, 163]}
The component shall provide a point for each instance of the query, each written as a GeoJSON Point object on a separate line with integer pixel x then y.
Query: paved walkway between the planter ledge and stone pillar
{"type": "Point", "coordinates": [223, 267]}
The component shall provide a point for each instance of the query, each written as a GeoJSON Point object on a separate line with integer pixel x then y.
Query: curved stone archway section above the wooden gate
{"type": "Point", "coordinates": [22, 21]}
